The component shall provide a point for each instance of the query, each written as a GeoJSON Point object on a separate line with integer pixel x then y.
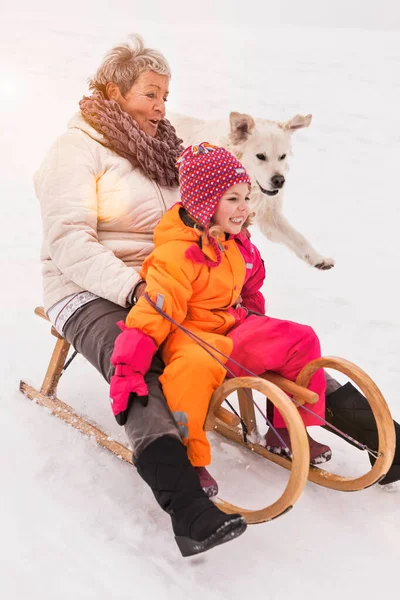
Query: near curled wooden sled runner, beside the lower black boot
{"type": "Point", "coordinates": [298, 438]}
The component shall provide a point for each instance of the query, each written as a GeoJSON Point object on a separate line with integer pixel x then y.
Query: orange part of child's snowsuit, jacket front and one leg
{"type": "Point", "coordinates": [193, 296]}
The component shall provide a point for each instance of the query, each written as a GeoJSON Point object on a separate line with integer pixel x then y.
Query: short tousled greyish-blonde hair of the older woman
{"type": "Point", "coordinates": [124, 63]}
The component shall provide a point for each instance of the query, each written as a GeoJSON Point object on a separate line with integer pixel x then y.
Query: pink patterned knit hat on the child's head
{"type": "Point", "coordinates": [205, 173]}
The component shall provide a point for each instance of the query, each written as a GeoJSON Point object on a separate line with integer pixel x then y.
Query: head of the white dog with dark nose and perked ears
{"type": "Point", "coordinates": [264, 147]}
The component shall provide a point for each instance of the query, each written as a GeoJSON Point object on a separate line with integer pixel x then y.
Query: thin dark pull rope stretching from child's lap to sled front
{"type": "Point", "coordinates": [204, 345]}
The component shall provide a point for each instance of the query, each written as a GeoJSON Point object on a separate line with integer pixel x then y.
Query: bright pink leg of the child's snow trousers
{"type": "Point", "coordinates": [261, 343]}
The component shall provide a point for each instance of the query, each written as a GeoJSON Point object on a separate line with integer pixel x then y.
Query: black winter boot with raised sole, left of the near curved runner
{"type": "Point", "coordinates": [197, 523]}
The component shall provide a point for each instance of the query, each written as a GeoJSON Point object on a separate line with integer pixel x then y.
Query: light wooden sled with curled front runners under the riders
{"type": "Point", "coordinates": [241, 427]}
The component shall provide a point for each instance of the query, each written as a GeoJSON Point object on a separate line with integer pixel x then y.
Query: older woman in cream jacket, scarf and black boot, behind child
{"type": "Point", "coordinates": [103, 187]}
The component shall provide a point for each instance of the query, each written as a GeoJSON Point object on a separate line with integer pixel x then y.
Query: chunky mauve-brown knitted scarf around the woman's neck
{"type": "Point", "coordinates": [155, 155]}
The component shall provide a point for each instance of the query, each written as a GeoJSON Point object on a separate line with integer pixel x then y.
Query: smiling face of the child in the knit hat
{"type": "Point", "coordinates": [233, 208]}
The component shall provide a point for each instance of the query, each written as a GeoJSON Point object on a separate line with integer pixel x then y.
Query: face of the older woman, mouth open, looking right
{"type": "Point", "coordinates": [145, 101]}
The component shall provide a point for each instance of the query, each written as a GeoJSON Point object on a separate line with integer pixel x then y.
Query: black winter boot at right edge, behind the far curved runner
{"type": "Point", "coordinates": [348, 409]}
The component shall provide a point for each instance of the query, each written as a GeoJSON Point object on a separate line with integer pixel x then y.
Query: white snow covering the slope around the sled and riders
{"type": "Point", "coordinates": [77, 522]}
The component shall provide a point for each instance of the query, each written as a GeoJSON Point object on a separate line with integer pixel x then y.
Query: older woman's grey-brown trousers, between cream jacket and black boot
{"type": "Point", "coordinates": [92, 330]}
